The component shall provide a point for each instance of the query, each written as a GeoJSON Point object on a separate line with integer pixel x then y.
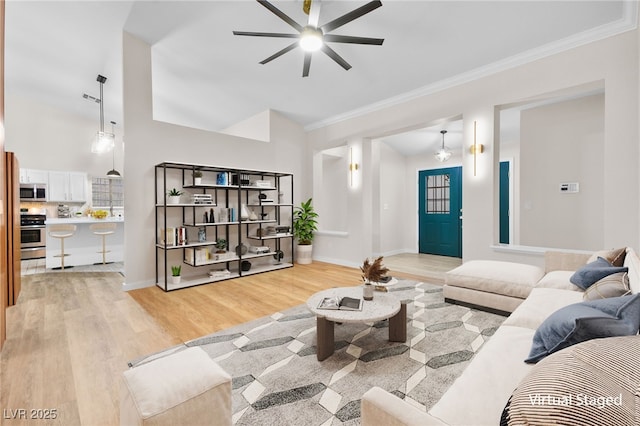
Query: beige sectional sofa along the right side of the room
{"type": "Point", "coordinates": [480, 394]}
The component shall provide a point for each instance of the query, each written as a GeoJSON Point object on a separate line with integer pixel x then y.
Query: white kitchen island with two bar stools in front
{"type": "Point", "coordinates": [84, 247]}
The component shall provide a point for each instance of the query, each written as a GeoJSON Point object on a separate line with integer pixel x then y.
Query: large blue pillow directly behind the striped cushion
{"type": "Point", "coordinates": [615, 316]}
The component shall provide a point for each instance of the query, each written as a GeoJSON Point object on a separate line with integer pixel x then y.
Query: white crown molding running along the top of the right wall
{"type": "Point", "coordinates": [628, 22]}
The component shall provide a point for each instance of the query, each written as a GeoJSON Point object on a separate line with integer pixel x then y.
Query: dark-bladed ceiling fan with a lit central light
{"type": "Point", "coordinates": [313, 37]}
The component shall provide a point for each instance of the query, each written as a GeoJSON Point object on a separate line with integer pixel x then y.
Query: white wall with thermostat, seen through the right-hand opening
{"type": "Point", "coordinates": [563, 142]}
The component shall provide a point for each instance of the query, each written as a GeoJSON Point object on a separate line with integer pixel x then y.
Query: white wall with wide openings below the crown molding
{"type": "Point", "coordinates": [614, 60]}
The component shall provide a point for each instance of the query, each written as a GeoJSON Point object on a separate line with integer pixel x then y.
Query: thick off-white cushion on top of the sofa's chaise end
{"type": "Point", "coordinates": [507, 278]}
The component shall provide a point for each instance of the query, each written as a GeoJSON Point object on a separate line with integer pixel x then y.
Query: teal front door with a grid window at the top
{"type": "Point", "coordinates": [439, 211]}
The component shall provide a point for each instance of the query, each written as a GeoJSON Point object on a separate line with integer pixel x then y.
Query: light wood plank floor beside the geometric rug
{"type": "Point", "coordinates": [71, 334]}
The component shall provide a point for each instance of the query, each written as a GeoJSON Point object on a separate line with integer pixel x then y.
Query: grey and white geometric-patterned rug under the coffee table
{"type": "Point", "coordinates": [277, 379]}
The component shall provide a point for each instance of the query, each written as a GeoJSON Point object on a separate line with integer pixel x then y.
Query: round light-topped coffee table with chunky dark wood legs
{"type": "Point", "coordinates": [383, 306]}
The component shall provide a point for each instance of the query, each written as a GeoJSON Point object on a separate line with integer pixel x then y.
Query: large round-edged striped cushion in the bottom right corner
{"type": "Point", "coordinates": [589, 384]}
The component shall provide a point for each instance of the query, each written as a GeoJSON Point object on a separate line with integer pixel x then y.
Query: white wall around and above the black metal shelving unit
{"type": "Point", "coordinates": [151, 142]}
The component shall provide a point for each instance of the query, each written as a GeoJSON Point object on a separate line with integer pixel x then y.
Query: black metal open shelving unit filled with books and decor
{"type": "Point", "coordinates": [269, 195]}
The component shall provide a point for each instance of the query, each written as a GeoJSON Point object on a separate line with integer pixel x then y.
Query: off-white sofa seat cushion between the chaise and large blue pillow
{"type": "Point", "coordinates": [541, 303]}
